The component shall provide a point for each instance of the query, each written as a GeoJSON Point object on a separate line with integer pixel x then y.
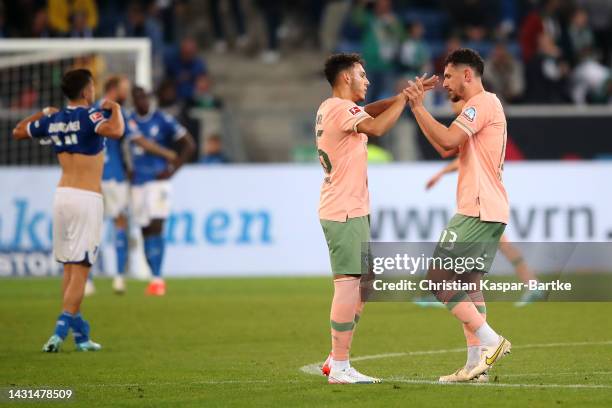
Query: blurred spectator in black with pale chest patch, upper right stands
{"type": "Point", "coordinates": [546, 73]}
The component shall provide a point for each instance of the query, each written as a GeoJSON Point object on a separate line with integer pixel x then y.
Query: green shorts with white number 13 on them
{"type": "Point", "coordinates": [469, 244]}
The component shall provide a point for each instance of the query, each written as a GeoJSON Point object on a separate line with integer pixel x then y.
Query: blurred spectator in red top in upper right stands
{"type": "Point", "coordinates": [544, 19]}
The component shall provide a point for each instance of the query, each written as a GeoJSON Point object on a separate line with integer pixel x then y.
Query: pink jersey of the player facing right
{"type": "Point", "coordinates": [344, 156]}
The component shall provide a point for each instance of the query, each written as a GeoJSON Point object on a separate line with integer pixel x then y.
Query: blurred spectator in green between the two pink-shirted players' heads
{"type": "Point", "coordinates": [382, 37]}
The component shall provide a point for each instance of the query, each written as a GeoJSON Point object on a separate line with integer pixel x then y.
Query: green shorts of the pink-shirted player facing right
{"type": "Point", "coordinates": [345, 241]}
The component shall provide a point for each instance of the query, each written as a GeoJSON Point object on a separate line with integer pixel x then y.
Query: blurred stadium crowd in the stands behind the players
{"type": "Point", "coordinates": [537, 51]}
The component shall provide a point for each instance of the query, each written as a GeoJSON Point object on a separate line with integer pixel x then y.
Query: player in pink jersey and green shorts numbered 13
{"type": "Point", "coordinates": [478, 137]}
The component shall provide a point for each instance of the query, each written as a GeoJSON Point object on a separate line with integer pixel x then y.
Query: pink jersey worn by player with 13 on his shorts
{"type": "Point", "coordinates": [480, 190]}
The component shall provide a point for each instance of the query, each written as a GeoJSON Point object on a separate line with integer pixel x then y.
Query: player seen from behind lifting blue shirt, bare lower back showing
{"type": "Point", "coordinates": [77, 133]}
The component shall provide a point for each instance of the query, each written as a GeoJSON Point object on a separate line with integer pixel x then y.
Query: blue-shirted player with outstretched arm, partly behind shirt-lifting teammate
{"type": "Point", "coordinates": [115, 185]}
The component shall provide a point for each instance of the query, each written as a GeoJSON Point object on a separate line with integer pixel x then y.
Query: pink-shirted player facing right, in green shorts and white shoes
{"type": "Point", "coordinates": [342, 129]}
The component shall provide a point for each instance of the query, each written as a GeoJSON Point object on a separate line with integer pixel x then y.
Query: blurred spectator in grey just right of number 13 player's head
{"type": "Point", "coordinates": [504, 74]}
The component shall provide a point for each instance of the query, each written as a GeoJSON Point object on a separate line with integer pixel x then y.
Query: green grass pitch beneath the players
{"type": "Point", "coordinates": [228, 342]}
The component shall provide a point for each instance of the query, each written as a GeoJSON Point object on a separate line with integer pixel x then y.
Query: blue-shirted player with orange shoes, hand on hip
{"type": "Point", "coordinates": [150, 183]}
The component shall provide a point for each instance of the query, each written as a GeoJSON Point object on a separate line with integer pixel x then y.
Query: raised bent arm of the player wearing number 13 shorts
{"type": "Point", "coordinates": [444, 139]}
